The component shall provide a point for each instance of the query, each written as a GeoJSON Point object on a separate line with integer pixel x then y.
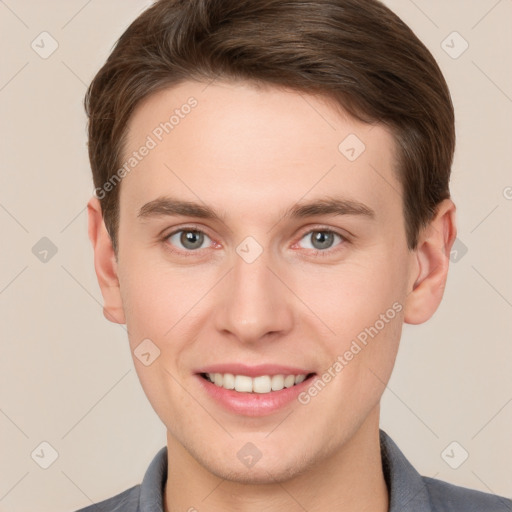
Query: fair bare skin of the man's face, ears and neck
{"type": "Point", "coordinates": [250, 153]}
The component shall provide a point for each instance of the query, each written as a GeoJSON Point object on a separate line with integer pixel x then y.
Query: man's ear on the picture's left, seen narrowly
{"type": "Point", "coordinates": [105, 263]}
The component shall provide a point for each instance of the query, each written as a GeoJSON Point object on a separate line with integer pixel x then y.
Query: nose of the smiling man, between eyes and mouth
{"type": "Point", "coordinates": [254, 303]}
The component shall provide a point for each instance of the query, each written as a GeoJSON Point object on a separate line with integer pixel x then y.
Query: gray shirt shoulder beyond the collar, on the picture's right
{"type": "Point", "coordinates": [447, 497]}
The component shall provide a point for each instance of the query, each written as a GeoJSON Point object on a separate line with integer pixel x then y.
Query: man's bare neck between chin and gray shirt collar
{"type": "Point", "coordinates": [349, 478]}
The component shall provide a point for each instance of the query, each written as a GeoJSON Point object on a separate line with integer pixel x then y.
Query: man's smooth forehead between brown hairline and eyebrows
{"type": "Point", "coordinates": [240, 144]}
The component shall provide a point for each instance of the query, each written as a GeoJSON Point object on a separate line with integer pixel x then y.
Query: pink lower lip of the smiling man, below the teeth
{"type": "Point", "coordinates": [253, 404]}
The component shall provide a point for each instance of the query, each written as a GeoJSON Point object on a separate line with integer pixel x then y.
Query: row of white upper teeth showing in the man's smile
{"type": "Point", "coordinates": [260, 384]}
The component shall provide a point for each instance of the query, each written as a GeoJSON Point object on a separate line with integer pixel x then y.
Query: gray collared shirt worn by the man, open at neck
{"type": "Point", "coordinates": [408, 490]}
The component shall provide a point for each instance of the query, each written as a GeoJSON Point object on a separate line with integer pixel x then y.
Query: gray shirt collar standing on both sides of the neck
{"type": "Point", "coordinates": [407, 491]}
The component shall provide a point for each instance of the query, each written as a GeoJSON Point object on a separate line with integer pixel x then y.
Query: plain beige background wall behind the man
{"type": "Point", "coordinates": [66, 374]}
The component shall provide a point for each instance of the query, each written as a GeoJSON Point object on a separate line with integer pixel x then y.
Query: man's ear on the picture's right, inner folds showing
{"type": "Point", "coordinates": [432, 259]}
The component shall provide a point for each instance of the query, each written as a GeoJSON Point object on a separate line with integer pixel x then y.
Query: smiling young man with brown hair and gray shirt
{"type": "Point", "coordinates": [271, 205]}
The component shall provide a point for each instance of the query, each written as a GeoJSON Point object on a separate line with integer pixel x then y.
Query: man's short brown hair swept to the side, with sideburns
{"type": "Point", "coordinates": [355, 52]}
